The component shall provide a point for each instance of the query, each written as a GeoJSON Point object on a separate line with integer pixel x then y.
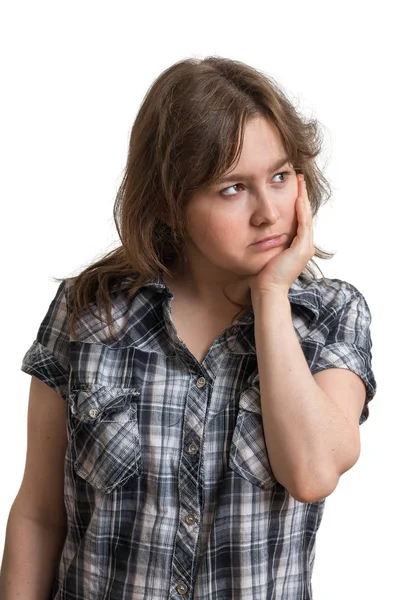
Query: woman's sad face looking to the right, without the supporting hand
{"type": "Point", "coordinates": [254, 200]}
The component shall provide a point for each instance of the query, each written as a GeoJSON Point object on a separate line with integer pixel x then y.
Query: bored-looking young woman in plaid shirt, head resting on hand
{"type": "Point", "coordinates": [213, 386]}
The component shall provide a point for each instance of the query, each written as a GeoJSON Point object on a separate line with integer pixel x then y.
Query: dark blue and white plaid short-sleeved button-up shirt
{"type": "Point", "coordinates": [169, 491]}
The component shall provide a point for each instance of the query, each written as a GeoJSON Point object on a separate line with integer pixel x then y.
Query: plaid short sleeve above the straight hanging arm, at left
{"type": "Point", "coordinates": [48, 357]}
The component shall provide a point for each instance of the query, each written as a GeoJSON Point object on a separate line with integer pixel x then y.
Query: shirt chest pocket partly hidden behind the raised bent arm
{"type": "Point", "coordinates": [248, 453]}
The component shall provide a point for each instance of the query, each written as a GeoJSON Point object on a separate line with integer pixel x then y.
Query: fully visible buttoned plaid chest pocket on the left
{"type": "Point", "coordinates": [105, 440]}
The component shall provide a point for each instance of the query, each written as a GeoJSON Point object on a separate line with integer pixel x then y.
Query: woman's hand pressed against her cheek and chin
{"type": "Point", "coordinates": [280, 272]}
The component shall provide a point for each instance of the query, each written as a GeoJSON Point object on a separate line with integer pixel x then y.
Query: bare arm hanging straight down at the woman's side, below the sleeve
{"type": "Point", "coordinates": [37, 524]}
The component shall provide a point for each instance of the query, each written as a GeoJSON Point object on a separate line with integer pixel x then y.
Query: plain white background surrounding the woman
{"type": "Point", "coordinates": [73, 77]}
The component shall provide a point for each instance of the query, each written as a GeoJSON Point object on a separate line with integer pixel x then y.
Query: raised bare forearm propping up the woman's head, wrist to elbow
{"type": "Point", "coordinates": [306, 433]}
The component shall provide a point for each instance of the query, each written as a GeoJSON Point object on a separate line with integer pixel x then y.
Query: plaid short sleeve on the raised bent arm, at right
{"type": "Point", "coordinates": [348, 345]}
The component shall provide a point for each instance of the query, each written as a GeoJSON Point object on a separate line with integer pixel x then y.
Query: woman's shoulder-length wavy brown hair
{"type": "Point", "coordinates": [187, 133]}
